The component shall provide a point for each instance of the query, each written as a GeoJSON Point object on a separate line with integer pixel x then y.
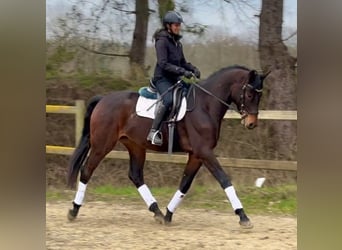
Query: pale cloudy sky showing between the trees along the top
{"type": "Point", "coordinates": [231, 19]}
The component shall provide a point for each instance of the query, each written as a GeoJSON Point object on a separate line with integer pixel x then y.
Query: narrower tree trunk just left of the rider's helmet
{"type": "Point", "coordinates": [138, 48]}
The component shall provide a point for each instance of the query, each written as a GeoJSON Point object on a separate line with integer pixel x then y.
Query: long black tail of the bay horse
{"type": "Point", "coordinates": [81, 151]}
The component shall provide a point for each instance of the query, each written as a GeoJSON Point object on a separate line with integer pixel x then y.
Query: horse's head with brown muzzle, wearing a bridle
{"type": "Point", "coordinates": [247, 95]}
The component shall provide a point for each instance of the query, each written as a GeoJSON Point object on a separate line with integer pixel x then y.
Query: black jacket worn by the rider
{"type": "Point", "coordinates": [170, 58]}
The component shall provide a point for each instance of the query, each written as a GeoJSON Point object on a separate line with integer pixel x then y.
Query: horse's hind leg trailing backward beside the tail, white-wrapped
{"type": "Point", "coordinates": [93, 160]}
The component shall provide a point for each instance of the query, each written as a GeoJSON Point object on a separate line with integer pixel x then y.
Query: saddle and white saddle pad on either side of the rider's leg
{"type": "Point", "coordinates": [178, 109]}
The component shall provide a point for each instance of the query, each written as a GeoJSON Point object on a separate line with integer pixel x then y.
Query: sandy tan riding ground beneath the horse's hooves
{"type": "Point", "coordinates": [103, 225]}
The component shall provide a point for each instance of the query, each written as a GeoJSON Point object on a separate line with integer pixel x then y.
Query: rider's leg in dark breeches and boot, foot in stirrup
{"type": "Point", "coordinates": [162, 86]}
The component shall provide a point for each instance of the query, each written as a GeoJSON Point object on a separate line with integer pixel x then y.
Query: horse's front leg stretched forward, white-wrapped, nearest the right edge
{"type": "Point", "coordinates": [216, 170]}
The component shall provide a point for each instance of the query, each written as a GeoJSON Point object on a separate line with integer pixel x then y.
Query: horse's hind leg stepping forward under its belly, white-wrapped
{"type": "Point", "coordinates": [137, 157]}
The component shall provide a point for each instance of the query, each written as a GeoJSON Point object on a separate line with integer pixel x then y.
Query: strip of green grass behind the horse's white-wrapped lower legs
{"type": "Point", "coordinates": [265, 200]}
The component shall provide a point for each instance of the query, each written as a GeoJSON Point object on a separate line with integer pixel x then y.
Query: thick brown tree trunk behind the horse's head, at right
{"type": "Point", "coordinates": [281, 83]}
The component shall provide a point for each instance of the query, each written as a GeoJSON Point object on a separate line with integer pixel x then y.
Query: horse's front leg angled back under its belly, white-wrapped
{"type": "Point", "coordinates": [190, 172]}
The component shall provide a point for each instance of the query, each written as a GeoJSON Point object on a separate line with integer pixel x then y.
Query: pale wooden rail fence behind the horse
{"type": "Point", "coordinates": [79, 109]}
